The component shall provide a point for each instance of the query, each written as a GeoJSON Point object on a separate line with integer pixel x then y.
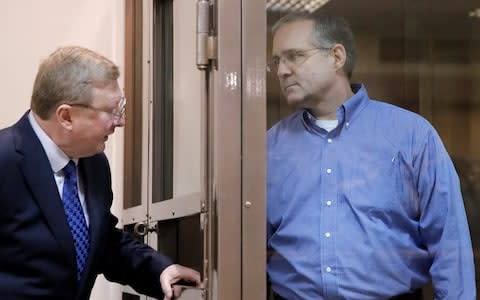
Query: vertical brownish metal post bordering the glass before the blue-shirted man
{"type": "Point", "coordinates": [254, 49]}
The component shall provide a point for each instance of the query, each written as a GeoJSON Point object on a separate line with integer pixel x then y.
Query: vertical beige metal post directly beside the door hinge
{"type": "Point", "coordinates": [226, 96]}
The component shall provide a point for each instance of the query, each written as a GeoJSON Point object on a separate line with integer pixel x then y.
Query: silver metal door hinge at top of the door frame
{"type": "Point", "coordinates": [206, 34]}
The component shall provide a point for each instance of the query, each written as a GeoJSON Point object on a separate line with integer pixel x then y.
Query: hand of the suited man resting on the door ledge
{"type": "Point", "coordinates": [176, 273]}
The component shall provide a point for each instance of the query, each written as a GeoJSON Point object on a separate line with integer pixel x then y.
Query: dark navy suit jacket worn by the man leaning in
{"type": "Point", "coordinates": [37, 256]}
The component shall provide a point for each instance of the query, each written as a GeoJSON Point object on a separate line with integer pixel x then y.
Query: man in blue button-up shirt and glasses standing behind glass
{"type": "Point", "coordinates": [363, 199]}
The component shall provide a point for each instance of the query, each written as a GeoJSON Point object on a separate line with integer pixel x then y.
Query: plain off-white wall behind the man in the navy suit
{"type": "Point", "coordinates": [32, 29]}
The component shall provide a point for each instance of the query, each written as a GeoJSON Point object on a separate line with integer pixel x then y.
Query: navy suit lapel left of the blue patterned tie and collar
{"type": "Point", "coordinates": [39, 178]}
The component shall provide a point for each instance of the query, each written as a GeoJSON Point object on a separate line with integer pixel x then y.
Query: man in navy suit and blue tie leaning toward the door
{"type": "Point", "coordinates": [56, 230]}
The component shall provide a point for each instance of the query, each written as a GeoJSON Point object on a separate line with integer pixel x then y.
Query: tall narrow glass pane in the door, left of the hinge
{"type": "Point", "coordinates": [177, 99]}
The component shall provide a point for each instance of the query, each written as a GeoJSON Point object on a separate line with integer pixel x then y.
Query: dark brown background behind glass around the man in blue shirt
{"type": "Point", "coordinates": [423, 56]}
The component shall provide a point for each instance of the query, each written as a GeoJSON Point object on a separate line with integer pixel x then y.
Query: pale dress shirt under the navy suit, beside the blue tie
{"type": "Point", "coordinates": [58, 160]}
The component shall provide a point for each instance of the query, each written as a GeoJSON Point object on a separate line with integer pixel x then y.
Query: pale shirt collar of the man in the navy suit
{"type": "Point", "coordinates": [57, 158]}
